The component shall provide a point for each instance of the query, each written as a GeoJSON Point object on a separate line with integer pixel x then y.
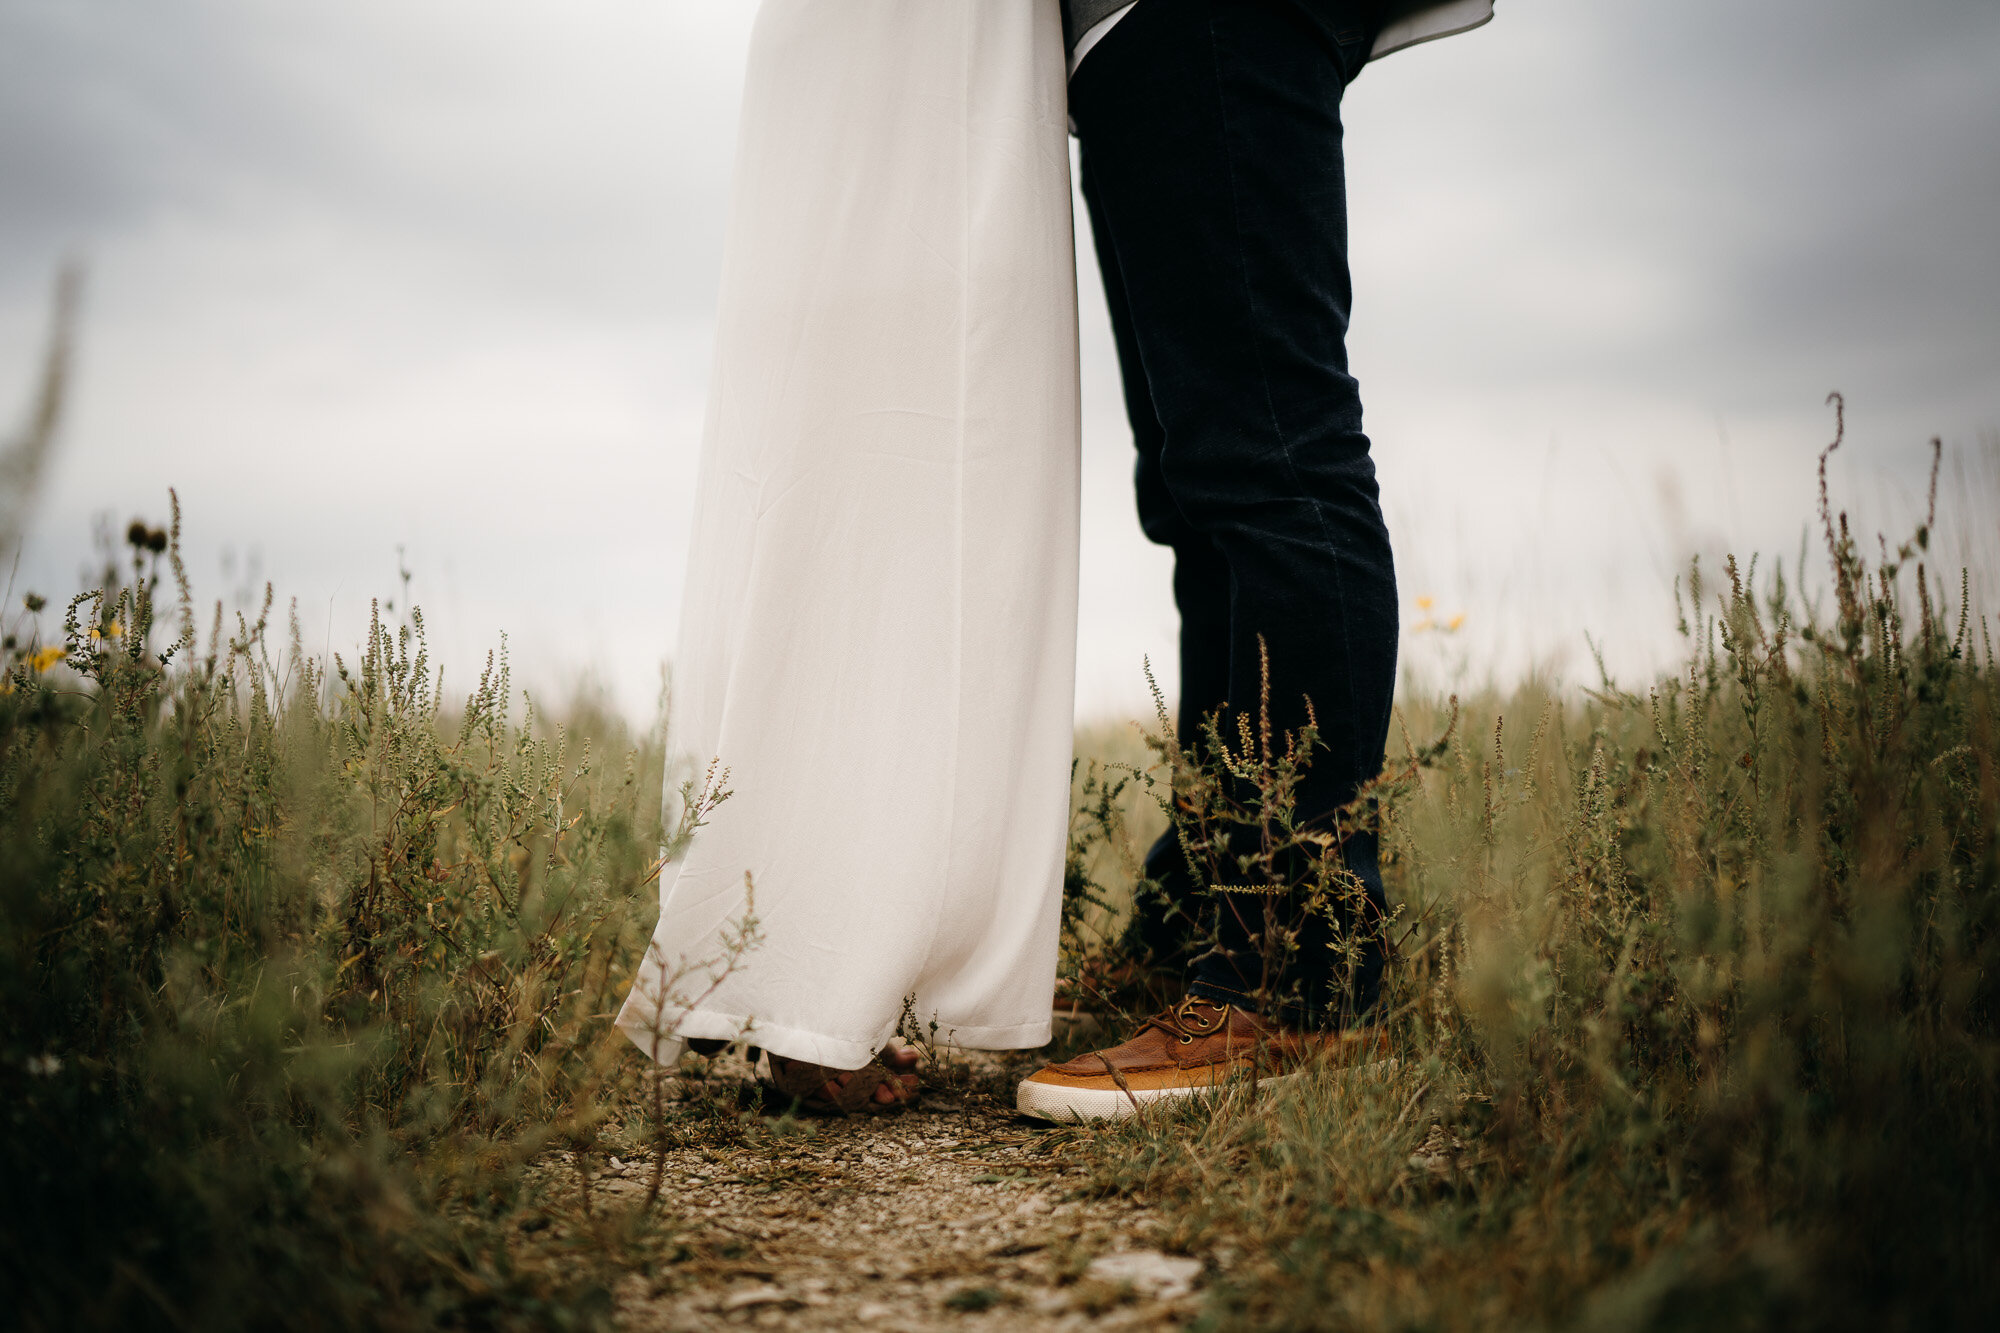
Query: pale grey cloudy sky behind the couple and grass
{"type": "Point", "coordinates": [441, 275]}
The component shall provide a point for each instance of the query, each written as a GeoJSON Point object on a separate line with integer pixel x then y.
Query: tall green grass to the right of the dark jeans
{"type": "Point", "coordinates": [1693, 998]}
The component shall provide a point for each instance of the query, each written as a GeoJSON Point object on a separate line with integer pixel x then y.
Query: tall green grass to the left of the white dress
{"type": "Point", "coordinates": [301, 968]}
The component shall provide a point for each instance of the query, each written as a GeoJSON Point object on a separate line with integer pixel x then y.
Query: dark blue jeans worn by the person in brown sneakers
{"type": "Point", "coordinates": [1215, 179]}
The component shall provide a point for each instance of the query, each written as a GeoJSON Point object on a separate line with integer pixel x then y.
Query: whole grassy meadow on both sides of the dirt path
{"type": "Point", "coordinates": [1693, 990]}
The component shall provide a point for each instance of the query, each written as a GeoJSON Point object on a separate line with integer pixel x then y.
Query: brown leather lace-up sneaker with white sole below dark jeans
{"type": "Point", "coordinates": [1191, 1050]}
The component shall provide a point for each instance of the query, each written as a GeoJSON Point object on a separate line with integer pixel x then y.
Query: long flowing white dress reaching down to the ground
{"type": "Point", "coordinates": [879, 635]}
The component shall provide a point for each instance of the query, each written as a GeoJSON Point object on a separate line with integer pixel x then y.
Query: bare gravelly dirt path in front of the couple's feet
{"type": "Point", "coordinates": [947, 1216]}
